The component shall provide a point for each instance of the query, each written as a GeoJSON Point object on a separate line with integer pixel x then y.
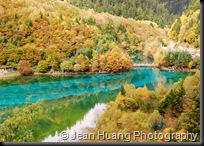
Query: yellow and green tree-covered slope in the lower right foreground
{"type": "Point", "coordinates": [174, 110]}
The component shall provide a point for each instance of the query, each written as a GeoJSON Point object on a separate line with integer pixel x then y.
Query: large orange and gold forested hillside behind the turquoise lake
{"type": "Point", "coordinates": [48, 36]}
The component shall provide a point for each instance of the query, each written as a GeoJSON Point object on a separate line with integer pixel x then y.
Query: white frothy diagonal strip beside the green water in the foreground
{"type": "Point", "coordinates": [90, 120]}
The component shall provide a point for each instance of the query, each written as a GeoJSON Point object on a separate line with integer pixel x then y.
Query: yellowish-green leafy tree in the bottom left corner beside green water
{"type": "Point", "coordinates": [16, 128]}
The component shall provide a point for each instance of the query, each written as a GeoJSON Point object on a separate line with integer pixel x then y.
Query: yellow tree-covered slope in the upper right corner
{"type": "Point", "coordinates": [187, 27]}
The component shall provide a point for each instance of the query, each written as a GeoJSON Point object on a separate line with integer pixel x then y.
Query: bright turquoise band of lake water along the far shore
{"type": "Point", "coordinates": [34, 88]}
